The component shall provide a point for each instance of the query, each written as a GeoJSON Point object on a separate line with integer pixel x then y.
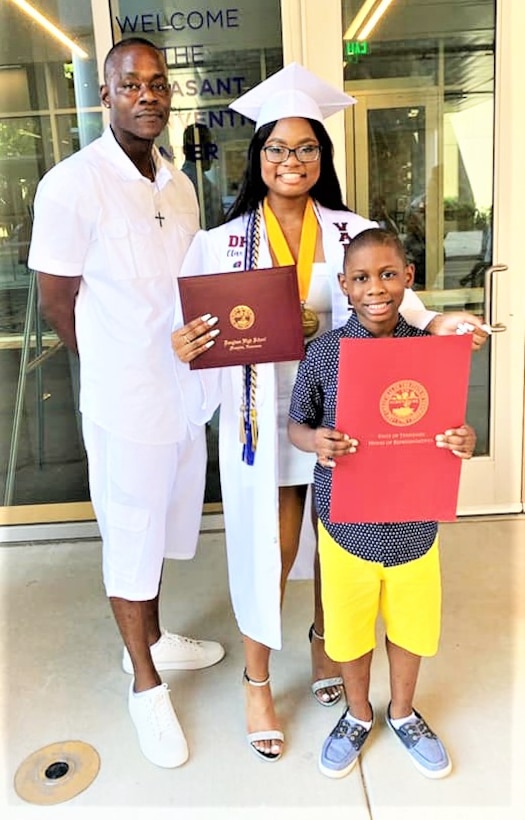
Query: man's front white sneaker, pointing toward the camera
{"type": "Point", "coordinates": [161, 738]}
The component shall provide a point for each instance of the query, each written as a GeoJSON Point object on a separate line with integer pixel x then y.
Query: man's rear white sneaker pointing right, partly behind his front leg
{"type": "Point", "coordinates": [176, 652]}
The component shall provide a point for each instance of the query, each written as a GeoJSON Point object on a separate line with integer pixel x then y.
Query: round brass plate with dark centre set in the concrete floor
{"type": "Point", "coordinates": [57, 773]}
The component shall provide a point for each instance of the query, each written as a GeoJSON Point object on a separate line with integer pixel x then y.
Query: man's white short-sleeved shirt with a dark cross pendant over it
{"type": "Point", "coordinates": [95, 218]}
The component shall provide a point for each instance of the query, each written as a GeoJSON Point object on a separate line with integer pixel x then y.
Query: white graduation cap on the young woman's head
{"type": "Point", "coordinates": [291, 92]}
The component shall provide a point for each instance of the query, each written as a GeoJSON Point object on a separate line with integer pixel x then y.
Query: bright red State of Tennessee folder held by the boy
{"type": "Point", "coordinates": [394, 396]}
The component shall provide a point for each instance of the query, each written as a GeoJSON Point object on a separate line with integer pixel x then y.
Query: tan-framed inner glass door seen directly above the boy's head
{"type": "Point", "coordinates": [396, 140]}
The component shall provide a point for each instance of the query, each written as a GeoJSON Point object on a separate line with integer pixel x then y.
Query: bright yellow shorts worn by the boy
{"type": "Point", "coordinates": [355, 591]}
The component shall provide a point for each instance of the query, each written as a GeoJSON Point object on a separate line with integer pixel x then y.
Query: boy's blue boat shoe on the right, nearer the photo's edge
{"type": "Point", "coordinates": [427, 752]}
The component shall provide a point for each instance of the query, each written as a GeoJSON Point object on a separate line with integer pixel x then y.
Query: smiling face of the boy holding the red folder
{"type": "Point", "coordinates": [374, 279]}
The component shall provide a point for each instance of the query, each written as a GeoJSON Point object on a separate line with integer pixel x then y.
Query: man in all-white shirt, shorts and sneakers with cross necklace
{"type": "Point", "coordinates": [112, 225]}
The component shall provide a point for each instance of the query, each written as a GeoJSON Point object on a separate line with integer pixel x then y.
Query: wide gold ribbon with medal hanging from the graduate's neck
{"type": "Point", "coordinates": [305, 261]}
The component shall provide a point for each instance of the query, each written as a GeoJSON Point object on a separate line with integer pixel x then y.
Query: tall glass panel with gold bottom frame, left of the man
{"type": "Point", "coordinates": [49, 108]}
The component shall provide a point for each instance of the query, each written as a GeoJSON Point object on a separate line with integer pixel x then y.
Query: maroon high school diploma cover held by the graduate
{"type": "Point", "coordinates": [259, 314]}
